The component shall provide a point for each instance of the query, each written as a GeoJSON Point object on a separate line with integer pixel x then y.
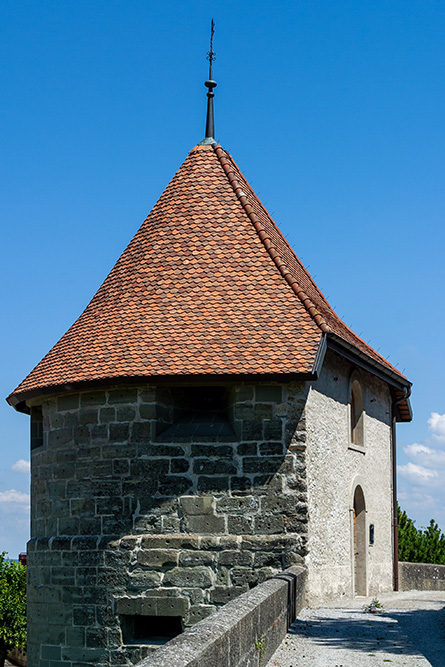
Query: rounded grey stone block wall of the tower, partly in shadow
{"type": "Point", "coordinates": [130, 519]}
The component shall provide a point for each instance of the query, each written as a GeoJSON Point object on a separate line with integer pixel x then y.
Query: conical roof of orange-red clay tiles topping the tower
{"type": "Point", "coordinates": [207, 286]}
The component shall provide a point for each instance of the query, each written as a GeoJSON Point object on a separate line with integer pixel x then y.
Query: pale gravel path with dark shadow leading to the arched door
{"type": "Point", "coordinates": [410, 632]}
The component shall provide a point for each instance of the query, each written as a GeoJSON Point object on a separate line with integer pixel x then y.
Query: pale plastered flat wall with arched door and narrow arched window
{"type": "Point", "coordinates": [334, 469]}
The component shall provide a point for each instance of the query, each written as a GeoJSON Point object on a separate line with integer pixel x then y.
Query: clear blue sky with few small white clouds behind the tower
{"type": "Point", "coordinates": [334, 111]}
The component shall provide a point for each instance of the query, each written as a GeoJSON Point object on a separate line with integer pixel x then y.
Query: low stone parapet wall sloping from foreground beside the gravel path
{"type": "Point", "coordinates": [229, 637]}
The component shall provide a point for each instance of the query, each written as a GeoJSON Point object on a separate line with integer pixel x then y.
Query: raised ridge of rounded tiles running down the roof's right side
{"type": "Point", "coordinates": [225, 161]}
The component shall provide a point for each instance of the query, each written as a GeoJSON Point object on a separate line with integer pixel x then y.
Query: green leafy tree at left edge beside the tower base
{"type": "Point", "coordinates": [12, 606]}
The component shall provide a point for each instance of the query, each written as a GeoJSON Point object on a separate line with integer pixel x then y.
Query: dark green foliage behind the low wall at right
{"type": "Point", "coordinates": [420, 545]}
